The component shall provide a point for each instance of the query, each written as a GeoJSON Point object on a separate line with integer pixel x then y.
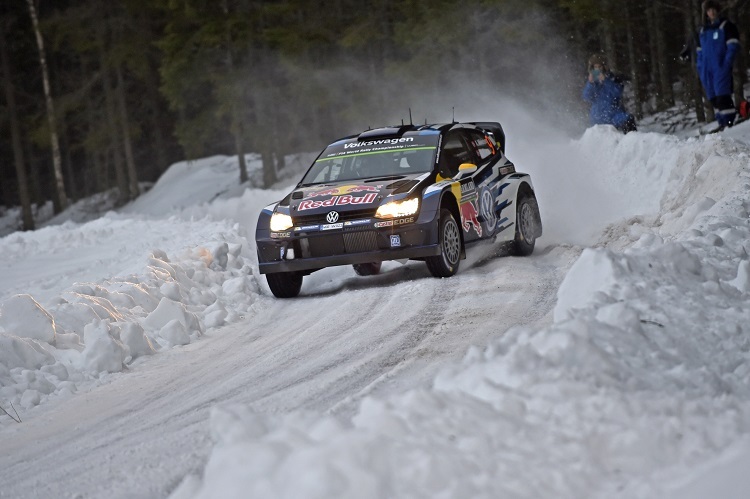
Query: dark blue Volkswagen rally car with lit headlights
{"type": "Point", "coordinates": [410, 192]}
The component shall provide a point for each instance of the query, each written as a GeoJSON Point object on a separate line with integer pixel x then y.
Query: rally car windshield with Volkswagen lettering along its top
{"type": "Point", "coordinates": [353, 160]}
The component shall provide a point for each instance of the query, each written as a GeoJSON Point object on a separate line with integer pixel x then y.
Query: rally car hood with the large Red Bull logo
{"type": "Point", "coordinates": [350, 195]}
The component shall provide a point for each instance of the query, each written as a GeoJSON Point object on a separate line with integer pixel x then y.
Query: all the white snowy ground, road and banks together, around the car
{"type": "Point", "coordinates": [145, 356]}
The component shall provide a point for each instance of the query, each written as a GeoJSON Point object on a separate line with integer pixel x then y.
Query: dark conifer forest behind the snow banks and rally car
{"type": "Point", "coordinates": [101, 95]}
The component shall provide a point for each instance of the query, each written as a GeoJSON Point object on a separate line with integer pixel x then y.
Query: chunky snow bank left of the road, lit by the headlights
{"type": "Point", "coordinates": [196, 273]}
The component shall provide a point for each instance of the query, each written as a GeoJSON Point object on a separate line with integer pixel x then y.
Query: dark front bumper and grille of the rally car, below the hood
{"type": "Point", "coordinates": [363, 242]}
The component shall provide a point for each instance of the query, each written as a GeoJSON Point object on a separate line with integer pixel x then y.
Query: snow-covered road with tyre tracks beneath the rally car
{"type": "Point", "coordinates": [346, 338]}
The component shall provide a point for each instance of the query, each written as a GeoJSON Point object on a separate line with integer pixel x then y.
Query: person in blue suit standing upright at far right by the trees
{"type": "Point", "coordinates": [718, 44]}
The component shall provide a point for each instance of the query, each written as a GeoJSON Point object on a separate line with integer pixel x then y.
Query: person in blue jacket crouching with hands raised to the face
{"type": "Point", "coordinates": [604, 92]}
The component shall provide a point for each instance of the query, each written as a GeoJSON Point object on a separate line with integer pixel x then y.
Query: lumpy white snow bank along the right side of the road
{"type": "Point", "coordinates": [650, 341]}
